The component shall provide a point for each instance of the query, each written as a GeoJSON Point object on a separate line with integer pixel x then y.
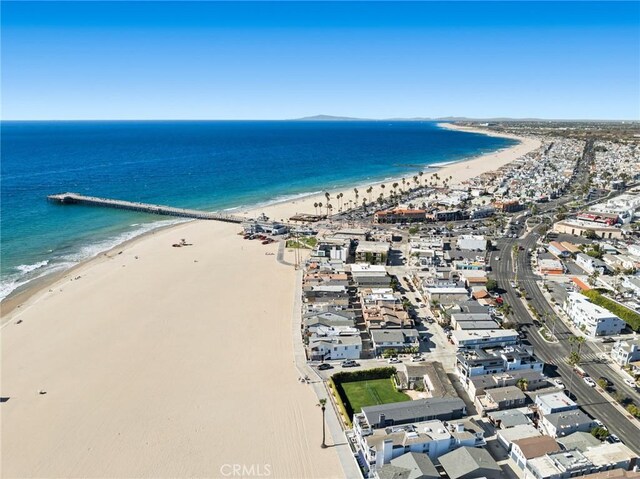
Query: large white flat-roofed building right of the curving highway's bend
{"type": "Point", "coordinates": [594, 320]}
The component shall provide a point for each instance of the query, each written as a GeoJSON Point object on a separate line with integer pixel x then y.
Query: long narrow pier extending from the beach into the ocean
{"type": "Point", "coordinates": [75, 198]}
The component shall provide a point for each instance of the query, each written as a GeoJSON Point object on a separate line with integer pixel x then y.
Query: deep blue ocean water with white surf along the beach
{"type": "Point", "coordinates": [212, 165]}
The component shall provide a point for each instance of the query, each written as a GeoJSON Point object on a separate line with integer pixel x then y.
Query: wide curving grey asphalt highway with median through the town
{"type": "Point", "coordinates": [555, 354]}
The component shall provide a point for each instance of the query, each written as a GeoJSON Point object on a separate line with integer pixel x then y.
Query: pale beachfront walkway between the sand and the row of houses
{"type": "Point", "coordinates": [338, 438]}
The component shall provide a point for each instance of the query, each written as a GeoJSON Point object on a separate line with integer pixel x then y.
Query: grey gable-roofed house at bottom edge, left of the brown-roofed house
{"type": "Point", "coordinates": [470, 463]}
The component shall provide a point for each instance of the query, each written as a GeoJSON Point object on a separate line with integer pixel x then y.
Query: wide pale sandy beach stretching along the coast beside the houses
{"type": "Point", "coordinates": [170, 362]}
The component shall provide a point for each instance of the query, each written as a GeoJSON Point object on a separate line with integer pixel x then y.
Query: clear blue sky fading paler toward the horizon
{"type": "Point", "coordinates": [166, 60]}
